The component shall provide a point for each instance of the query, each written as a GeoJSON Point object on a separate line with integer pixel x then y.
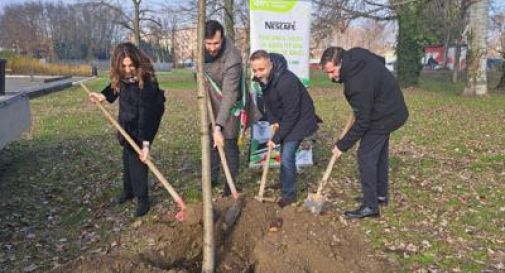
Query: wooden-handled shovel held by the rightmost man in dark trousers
{"type": "Point", "coordinates": [315, 201]}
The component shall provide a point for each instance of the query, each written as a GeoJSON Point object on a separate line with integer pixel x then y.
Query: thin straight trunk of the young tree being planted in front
{"type": "Point", "coordinates": [208, 218]}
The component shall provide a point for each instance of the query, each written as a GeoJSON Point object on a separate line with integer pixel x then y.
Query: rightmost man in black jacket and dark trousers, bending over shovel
{"type": "Point", "coordinates": [379, 108]}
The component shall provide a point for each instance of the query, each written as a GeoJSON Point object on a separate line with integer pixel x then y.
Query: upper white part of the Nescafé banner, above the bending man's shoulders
{"type": "Point", "coordinates": [283, 26]}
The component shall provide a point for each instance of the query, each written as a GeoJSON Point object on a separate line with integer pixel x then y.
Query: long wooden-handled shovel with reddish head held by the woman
{"type": "Point", "coordinates": [180, 203]}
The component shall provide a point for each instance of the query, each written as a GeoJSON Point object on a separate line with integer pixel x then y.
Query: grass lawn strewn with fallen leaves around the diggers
{"type": "Point", "coordinates": [447, 176]}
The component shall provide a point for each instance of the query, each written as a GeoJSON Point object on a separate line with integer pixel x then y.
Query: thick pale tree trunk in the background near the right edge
{"type": "Point", "coordinates": [477, 49]}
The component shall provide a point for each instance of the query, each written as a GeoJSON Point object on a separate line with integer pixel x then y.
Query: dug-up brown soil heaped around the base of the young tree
{"type": "Point", "coordinates": [264, 239]}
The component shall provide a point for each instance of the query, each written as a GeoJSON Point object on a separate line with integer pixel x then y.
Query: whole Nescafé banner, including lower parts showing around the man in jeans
{"type": "Point", "coordinates": [280, 26]}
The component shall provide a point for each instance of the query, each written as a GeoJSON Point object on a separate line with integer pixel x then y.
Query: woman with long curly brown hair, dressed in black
{"type": "Point", "coordinates": [141, 106]}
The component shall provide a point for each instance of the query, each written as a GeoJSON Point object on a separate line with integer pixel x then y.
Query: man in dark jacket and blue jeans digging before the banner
{"type": "Point", "coordinates": [288, 105]}
